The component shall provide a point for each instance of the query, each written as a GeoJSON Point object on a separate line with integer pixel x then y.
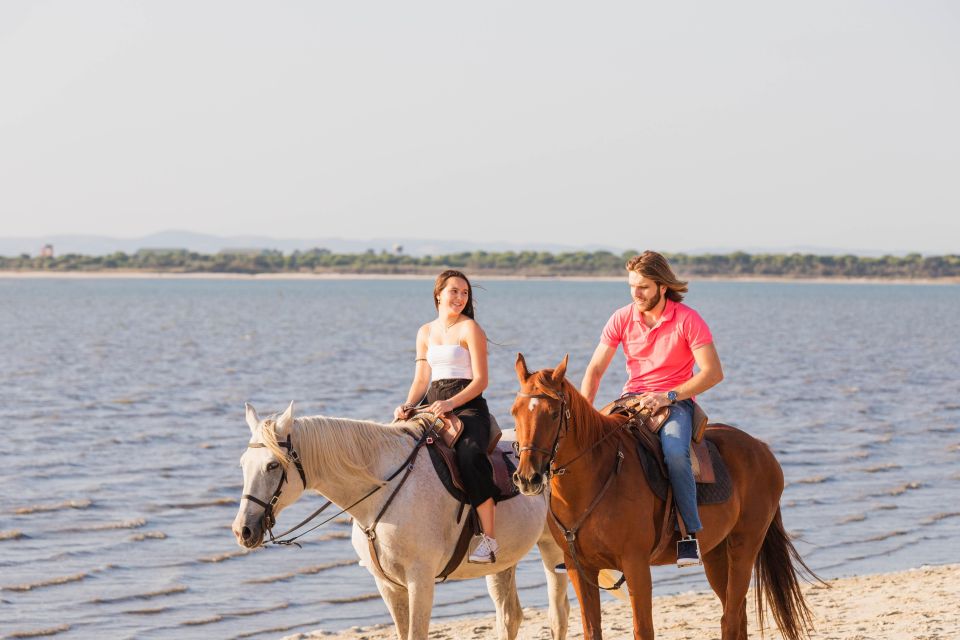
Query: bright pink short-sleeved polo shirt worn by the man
{"type": "Point", "coordinates": [661, 357]}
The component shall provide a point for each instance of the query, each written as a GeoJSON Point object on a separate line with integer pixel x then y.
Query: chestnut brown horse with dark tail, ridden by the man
{"type": "Point", "coordinates": [602, 496]}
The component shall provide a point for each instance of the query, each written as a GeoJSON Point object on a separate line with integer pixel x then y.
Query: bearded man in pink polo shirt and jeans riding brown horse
{"type": "Point", "coordinates": [662, 339]}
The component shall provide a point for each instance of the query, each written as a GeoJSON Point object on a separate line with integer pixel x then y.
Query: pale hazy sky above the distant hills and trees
{"type": "Point", "coordinates": [668, 125]}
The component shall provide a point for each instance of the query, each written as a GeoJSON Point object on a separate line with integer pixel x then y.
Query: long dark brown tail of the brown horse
{"type": "Point", "coordinates": [776, 580]}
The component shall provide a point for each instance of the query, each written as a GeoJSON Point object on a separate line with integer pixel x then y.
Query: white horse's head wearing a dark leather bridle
{"type": "Point", "coordinates": [272, 476]}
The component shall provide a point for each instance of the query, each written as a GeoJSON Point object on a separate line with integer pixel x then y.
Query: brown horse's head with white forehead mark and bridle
{"type": "Point", "coordinates": [540, 411]}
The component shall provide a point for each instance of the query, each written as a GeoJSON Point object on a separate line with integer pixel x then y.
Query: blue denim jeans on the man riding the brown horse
{"type": "Point", "coordinates": [675, 439]}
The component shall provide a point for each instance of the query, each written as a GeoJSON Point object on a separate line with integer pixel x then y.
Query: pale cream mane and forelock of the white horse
{"type": "Point", "coordinates": [343, 447]}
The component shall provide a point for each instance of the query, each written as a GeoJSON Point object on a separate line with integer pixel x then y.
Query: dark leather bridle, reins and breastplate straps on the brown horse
{"type": "Point", "coordinates": [570, 534]}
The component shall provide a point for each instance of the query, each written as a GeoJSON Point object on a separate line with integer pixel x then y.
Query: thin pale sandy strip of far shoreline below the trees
{"type": "Point", "coordinates": [478, 276]}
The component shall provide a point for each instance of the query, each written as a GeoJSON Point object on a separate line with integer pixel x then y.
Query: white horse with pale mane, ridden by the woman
{"type": "Point", "coordinates": [344, 460]}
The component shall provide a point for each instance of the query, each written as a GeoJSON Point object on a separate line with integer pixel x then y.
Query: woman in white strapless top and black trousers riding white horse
{"type": "Point", "coordinates": [451, 369]}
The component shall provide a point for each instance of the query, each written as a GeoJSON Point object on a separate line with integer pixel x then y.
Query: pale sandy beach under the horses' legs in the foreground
{"type": "Point", "coordinates": [919, 604]}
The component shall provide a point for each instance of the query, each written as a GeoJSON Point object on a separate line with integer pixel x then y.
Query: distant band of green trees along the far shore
{"type": "Point", "coordinates": [524, 263]}
